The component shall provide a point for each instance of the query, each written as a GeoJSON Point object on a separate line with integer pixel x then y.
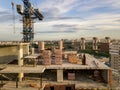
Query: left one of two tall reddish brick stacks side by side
{"type": "Point", "coordinates": [47, 57]}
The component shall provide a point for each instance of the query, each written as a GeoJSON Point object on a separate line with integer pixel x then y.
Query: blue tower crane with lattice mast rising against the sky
{"type": "Point", "coordinates": [28, 15]}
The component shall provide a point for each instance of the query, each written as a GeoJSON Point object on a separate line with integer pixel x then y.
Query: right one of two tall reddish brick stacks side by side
{"type": "Point", "coordinates": [58, 57]}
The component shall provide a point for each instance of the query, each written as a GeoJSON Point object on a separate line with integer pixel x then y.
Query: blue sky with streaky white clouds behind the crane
{"type": "Point", "coordinates": [68, 19]}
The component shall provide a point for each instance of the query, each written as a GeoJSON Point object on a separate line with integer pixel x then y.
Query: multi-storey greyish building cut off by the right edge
{"type": "Point", "coordinates": [115, 60]}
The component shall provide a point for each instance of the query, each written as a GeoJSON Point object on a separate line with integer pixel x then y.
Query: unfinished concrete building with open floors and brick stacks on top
{"type": "Point", "coordinates": [68, 74]}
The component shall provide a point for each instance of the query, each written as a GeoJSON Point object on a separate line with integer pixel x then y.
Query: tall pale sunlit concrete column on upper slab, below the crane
{"type": "Point", "coordinates": [20, 54]}
